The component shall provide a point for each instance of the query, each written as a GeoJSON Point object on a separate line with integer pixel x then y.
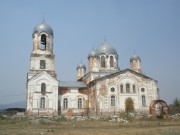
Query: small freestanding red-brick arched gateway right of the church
{"type": "Point", "coordinates": [159, 108]}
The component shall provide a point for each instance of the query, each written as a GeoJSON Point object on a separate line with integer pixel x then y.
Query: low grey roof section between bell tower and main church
{"type": "Point", "coordinates": [72, 84]}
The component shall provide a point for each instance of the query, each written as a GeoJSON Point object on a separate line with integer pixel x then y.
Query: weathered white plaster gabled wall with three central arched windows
{"type": "Point", "coordinates": [148, 84]}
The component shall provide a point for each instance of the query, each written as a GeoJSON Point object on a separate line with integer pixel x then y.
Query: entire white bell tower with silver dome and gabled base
{"type": "Point", "coordinates": [42, 83]}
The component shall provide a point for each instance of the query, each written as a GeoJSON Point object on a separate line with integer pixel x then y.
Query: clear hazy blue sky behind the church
{"type": "Point", "coordinates": [150, 27]}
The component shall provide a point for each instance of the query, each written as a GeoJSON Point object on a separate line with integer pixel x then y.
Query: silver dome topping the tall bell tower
{"type": "Point", "coordinates": [43, 27]}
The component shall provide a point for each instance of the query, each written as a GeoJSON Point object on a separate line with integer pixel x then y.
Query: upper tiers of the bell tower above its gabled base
{"type": "Point", "coordinates": [42, 57]}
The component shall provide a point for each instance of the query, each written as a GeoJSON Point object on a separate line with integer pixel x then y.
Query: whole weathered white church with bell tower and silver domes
{"type": "Point", "coordinates": [101, 88]}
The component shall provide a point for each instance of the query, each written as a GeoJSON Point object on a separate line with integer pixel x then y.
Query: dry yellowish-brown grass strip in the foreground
{"type": "Point", "coordinates": [23, 126]}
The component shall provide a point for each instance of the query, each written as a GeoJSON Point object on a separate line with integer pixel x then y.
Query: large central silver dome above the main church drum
{"type": "Point", "coordinates": [106, 49]}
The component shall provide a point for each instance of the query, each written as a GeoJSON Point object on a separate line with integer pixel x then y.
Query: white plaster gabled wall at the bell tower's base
{"type": "Point", "coordinates": [34, 93]}
